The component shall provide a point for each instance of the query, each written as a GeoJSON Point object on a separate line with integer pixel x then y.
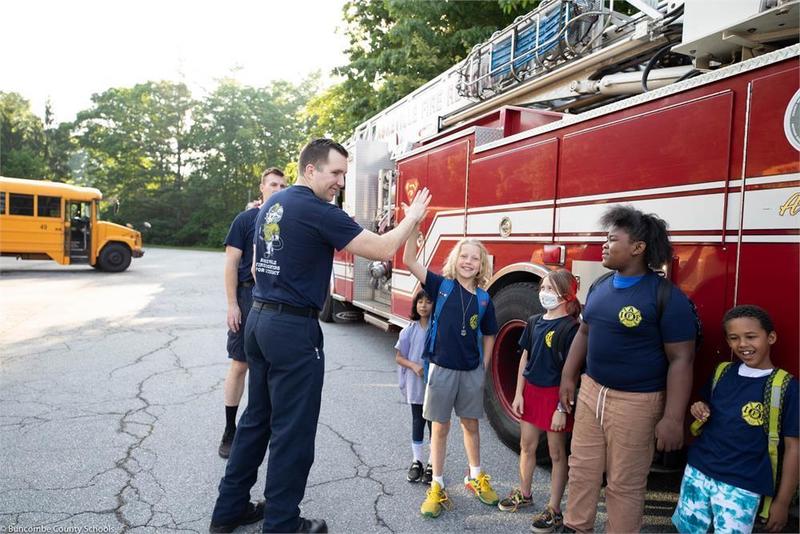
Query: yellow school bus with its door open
{"type": "Point", "coordinates": [42, 220]}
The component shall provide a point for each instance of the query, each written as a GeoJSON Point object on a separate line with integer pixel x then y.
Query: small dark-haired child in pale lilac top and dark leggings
{"type": "Point", "coordinates": [410, 346]}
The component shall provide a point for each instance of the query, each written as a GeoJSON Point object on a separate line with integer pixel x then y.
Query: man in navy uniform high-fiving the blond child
{"type": "Point", "coordinates": [297, 231]}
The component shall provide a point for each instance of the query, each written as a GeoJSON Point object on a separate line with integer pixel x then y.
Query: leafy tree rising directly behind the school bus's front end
{"type": "Point", "coordinates": [137, 144]}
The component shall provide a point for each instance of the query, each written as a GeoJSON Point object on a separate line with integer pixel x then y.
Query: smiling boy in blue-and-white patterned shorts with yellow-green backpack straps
{"type": "Point", "coordinates": [749, 407]}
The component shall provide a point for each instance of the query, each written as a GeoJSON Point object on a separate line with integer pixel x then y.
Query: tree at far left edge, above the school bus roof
{"type": "Point", "coordinates": [21, 139]}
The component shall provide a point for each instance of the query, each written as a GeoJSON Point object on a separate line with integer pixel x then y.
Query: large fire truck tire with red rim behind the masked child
{"type": "Point", "coordinates": [513, 305]}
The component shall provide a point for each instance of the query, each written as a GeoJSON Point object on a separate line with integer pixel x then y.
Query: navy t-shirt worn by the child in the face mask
{"type": "Point", "coordinates": [541, 369]}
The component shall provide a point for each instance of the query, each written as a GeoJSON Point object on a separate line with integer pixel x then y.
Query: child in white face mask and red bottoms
{"type": "Point", "coordinates": [545, 343]}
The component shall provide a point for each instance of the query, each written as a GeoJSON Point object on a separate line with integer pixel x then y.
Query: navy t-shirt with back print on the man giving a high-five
{"type": "Point", "coordinates": [295, 236]}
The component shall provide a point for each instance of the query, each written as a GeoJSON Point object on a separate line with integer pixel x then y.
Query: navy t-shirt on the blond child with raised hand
{"type": "Point", "coordinates": [452, 350]}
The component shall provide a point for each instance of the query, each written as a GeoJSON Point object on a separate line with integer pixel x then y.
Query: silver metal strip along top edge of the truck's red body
{"type": "Point", "coordinates": [713, 76]}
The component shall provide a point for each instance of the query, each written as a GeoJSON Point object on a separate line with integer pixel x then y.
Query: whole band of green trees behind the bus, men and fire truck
{"type": "Point", "coordinates": [187, 165]}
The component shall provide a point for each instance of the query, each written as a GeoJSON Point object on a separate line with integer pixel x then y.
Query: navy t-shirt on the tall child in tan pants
{"type": "Point", "coordinates": [626, 340]}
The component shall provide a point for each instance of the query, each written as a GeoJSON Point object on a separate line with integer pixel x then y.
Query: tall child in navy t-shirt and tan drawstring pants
{"type": "Point", "coordinates": [638, 377]}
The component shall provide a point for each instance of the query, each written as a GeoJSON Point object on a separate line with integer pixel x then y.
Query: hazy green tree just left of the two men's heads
{"type": "Point", "coordinates": [238, 131]}
